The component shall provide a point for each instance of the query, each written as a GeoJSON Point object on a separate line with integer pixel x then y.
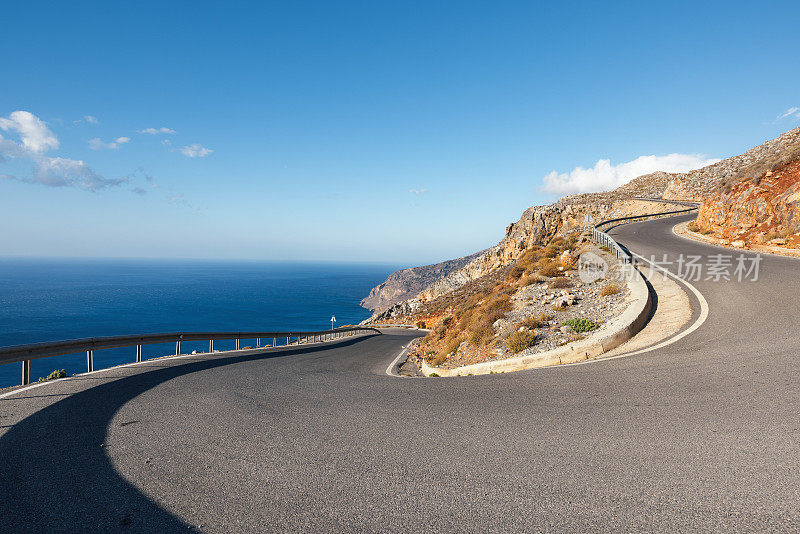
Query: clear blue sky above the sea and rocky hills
{"type": "Point", "coordinates": [361, 131]}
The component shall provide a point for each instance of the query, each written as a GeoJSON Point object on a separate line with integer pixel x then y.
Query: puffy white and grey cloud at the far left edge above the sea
{"type": "Point", "coordinates": [35, 139]}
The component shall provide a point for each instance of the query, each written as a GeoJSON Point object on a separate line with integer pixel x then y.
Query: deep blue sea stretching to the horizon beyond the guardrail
{"type": "Point", "coordinates": [51, 300]}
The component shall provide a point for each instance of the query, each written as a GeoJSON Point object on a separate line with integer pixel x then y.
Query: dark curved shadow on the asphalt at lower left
{"type": "Point", "coordinates": [56, 476]}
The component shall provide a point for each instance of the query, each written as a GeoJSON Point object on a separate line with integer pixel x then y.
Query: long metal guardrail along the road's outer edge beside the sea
{"type": "Point", "coordinates": [33, 351]}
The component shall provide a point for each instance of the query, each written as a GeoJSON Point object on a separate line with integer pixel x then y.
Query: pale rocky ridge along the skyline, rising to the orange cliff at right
{"type": "Point", "coordinates": [750, 196]}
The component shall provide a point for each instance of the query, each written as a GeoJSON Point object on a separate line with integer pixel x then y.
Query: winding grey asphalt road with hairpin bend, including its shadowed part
{"type": "Point", "coordinates": [701, 434]}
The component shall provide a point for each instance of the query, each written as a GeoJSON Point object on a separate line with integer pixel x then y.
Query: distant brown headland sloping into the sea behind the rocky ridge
{"type": "Point", "coordinates": [408, 282]}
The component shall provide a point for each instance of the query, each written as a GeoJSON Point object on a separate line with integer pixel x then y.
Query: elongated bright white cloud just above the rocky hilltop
{"type": "Point", "coordinates": [604, 176]}
